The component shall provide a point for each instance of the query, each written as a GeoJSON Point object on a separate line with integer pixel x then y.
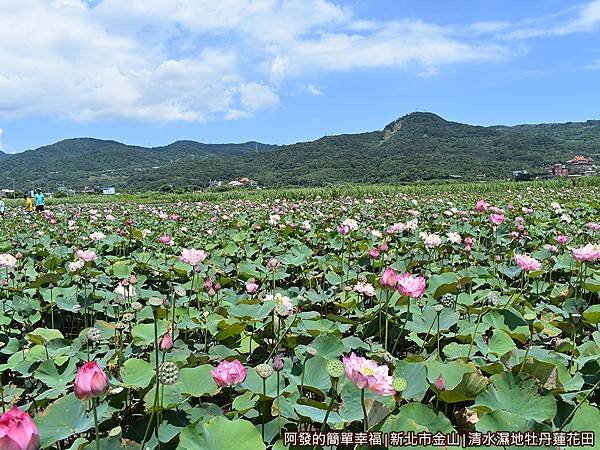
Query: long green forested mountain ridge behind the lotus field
{"type": "Point", "coordinates": [418, 146]}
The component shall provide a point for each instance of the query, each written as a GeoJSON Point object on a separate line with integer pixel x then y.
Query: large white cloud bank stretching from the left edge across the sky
{"type": "Point", "coordinates": [197, 60]}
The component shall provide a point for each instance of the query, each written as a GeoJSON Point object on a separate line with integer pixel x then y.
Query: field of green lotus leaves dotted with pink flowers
{"type": "Point", "coordinates": [283, 323]}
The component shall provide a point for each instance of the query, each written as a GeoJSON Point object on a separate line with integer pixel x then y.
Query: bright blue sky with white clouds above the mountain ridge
{"type": "Point", "coordinates": [149, 72]}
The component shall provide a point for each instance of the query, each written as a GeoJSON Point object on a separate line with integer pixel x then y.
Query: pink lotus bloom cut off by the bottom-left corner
{"type": "Point", "coordinates": [18, 431]}
